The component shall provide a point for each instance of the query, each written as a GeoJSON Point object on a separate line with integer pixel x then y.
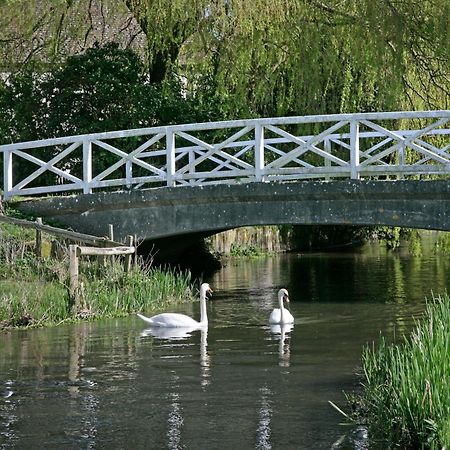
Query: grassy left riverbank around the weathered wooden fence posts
{"type": "Point", "coordinates": [35, 291]}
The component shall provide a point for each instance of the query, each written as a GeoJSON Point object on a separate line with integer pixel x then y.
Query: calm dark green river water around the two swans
{"type": "Point", "coordinates": [240, 385]}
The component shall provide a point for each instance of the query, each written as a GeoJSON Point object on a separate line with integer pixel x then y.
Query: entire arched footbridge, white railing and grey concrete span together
{"type": "Point", "coordinates": [363, 169]}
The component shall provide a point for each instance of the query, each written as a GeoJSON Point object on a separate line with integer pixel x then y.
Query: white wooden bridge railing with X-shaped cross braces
{"type": "Point", "coordinates": [369, 145]}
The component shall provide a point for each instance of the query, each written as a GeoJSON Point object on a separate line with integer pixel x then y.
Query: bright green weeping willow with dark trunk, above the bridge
{"type": "Point", "coordinates": [305, 56]}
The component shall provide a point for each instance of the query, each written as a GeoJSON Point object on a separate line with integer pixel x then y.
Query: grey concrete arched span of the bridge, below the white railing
{"type": "Point", "coordinates": [180, 215]}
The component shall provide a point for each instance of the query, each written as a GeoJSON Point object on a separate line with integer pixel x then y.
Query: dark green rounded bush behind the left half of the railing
{"type": "Point", "coordinates": [95, 91]}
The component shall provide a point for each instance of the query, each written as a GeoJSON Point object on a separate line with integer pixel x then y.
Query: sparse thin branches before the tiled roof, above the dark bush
{"type": "Point", "coordinates": [43, 33]}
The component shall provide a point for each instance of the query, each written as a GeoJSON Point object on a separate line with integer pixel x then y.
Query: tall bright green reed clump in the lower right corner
{"type": "Point", "coordinates": [406, 392]}
